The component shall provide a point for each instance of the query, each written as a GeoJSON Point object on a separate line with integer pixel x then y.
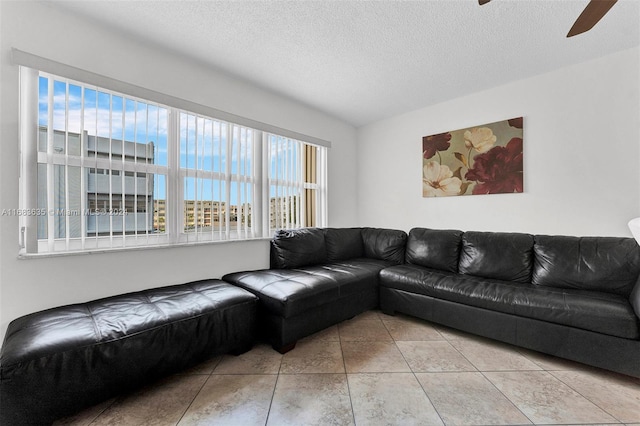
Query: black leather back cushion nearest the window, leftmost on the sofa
{"type": "Point", "coordinates": [298, 247]}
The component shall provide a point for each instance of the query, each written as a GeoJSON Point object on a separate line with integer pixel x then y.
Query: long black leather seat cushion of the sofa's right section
{"type": "Point", "coordinates": [594, 311]}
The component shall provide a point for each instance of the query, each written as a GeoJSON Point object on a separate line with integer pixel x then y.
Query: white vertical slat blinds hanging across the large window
{"type": "Point", "coordinates": [105, 170]}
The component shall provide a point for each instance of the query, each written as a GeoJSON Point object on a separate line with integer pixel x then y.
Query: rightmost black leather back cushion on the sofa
{"type": "Point", "coordinates": [609, 264]}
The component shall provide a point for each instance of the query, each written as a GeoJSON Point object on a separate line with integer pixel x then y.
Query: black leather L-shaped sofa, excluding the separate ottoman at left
{"type": "Point", "coordinates": [576, 298]}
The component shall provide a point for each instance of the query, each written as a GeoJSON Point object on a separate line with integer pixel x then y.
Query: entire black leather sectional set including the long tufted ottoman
{"type": "Point", "coordinates": [577, 298]}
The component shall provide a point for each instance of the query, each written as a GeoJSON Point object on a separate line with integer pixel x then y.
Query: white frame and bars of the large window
{"type": "Point", "coordinates": [259, 179]}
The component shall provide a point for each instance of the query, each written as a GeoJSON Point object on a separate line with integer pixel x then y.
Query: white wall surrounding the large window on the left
{"type": "Point", "coordinates": [31, 285]}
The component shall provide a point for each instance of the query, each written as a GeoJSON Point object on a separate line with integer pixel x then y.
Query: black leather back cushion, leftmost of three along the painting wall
{"type": "Point", "coordinates": [434, 248]}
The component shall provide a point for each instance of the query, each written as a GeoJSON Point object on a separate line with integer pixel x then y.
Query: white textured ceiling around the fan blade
{"type": "Point", "coordinates": [363, 61]}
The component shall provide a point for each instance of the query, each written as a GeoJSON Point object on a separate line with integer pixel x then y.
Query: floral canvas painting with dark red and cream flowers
{"type": "Point", "coordinates": [477, 160]}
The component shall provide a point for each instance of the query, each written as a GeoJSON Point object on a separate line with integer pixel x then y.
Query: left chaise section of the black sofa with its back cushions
{"type": "Point", "coordinates": [319, 277]}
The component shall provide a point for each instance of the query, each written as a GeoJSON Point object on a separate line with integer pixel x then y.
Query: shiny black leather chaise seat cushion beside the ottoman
{"type": "Point", "coordinates": [288, 292]}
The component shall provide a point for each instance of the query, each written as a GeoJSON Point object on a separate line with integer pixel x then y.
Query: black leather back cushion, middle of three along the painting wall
{"type": "Point", "coordinates": [497, 255]}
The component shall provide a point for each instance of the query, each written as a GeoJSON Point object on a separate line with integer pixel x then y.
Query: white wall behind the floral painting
{"type": "Point", "coordinates": [581, 156]}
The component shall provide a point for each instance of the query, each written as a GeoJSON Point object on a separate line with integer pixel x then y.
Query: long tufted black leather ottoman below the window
{"type": "Point", "coordinates": [58, 361]}
